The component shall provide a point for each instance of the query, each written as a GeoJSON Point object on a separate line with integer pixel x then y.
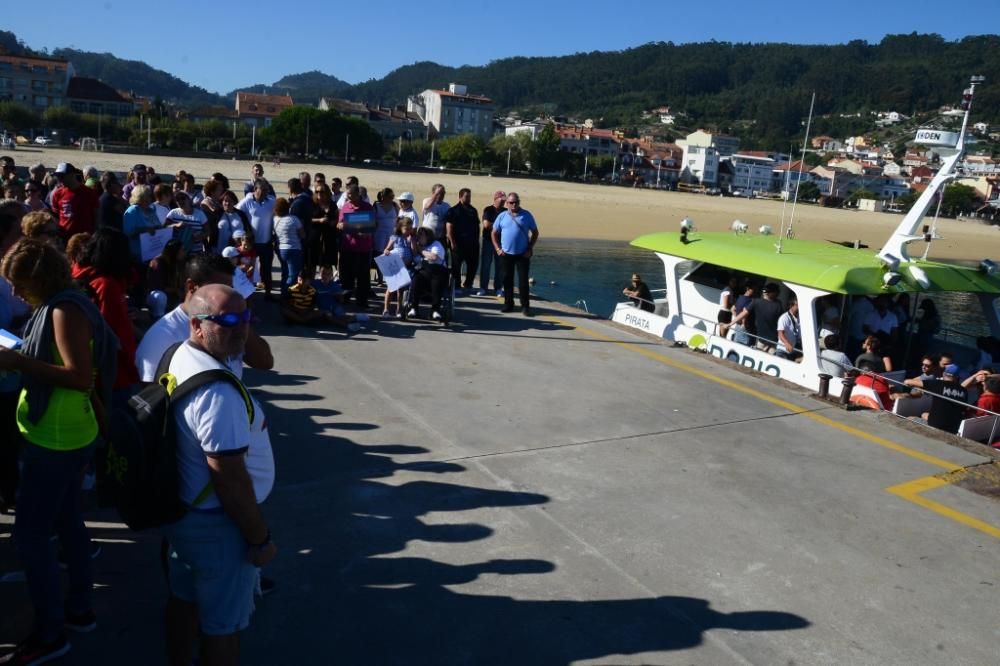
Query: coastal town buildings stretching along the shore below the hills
{"type": "Point", "coordinates": [858, 171]}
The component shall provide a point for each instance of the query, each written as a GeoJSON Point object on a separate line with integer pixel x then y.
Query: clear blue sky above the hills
{"type": "Point", "coordinates": [226, 45]}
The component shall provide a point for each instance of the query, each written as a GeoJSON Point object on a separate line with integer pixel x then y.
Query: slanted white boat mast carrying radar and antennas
{"type": "Point", "coordinates": [894, 250]}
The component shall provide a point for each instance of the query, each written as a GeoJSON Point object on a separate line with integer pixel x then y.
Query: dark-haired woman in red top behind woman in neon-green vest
{"type": "Point", "coordinates": [106, 271]}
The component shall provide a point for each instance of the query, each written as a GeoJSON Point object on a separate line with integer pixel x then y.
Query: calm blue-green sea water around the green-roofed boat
{"type": "Point", "coordinates": [574, 272]}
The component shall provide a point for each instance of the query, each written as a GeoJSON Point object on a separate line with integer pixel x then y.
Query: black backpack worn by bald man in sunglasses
{"type": "Point", "coordinates": [137, 467]}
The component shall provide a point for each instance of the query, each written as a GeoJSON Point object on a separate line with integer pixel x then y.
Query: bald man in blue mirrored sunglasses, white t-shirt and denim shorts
{"type": "Point", "coordinates": [222, 448]}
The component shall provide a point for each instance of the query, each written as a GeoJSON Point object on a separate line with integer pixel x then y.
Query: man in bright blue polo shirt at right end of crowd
{"type": "Point", "coordinates": [514, 236]}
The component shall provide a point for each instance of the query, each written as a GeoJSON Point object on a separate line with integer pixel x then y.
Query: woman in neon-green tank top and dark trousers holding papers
{"type": "Point", "coordinates": [68, 364]}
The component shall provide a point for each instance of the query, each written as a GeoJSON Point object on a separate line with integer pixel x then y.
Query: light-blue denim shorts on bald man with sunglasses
{"type": "Point", "coordinates": [208, 566]}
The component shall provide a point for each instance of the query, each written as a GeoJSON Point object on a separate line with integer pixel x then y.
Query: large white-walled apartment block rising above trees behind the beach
{"type": "Point", "coordinates": [454, 111]}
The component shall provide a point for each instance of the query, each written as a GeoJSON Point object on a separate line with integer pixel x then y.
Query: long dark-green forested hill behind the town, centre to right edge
{"type": "Point", "coordinates": [722, 83]}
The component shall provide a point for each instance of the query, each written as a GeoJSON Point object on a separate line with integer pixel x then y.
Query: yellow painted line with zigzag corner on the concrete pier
{"type": "Point", "coordinates": [910, 490]}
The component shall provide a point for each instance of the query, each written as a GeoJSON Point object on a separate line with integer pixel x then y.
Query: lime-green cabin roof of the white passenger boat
{"type": "Point", "coordinates": [828, 266]}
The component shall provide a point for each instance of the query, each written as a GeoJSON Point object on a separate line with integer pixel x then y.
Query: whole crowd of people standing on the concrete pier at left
{"type": "Point", "coordinates": [102, 276]}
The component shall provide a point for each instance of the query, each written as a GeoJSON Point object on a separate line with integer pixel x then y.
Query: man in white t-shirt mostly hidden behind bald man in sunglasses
{"type": "Point", "coordinates": [174, 327]}
